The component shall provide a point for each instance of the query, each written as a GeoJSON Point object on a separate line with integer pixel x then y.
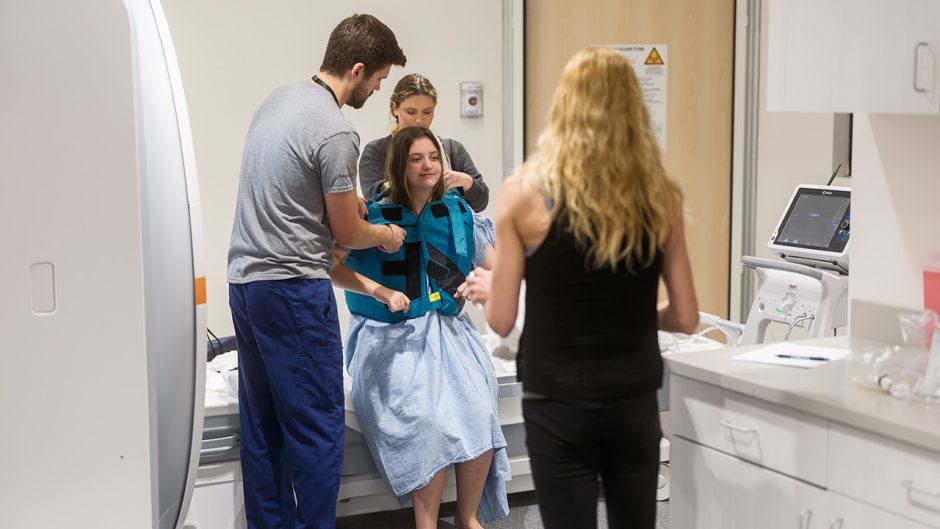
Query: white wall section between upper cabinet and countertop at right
{"type": "Point", "coordinates": [895, 207]}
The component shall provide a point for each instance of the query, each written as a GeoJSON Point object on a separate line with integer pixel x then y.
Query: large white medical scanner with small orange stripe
{"type": "Point", "coordinates": [102, 317]}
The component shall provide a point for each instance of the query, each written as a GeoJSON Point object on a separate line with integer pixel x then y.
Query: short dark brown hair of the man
{"type": "Point", "coordinates": [365, 39]}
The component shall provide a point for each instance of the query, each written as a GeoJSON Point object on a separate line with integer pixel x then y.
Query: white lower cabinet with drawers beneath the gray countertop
{"type": "Point", "coordinates": [741, 462]}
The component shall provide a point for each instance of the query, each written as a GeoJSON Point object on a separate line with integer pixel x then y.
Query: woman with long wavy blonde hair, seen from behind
{"type": "Point", "coordinates": [592, 223]}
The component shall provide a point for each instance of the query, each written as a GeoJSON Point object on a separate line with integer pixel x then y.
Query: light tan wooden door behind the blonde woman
{"type": "Point", "coordinates": [700, 39]}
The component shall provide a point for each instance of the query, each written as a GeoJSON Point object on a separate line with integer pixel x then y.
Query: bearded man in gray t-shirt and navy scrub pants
{"type": "Point", "coordinates": [296, 199]}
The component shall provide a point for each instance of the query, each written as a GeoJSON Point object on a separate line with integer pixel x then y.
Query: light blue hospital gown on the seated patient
{"type": "Point", "coordinates": [425, 395]}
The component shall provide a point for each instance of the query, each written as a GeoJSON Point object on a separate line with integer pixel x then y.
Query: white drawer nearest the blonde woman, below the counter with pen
{"type": "Point", "coordinates": [769, 435]}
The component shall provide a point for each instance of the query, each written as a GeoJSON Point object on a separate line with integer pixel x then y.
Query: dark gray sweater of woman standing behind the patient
{"type": "Point", "coordinates": [372, 170]}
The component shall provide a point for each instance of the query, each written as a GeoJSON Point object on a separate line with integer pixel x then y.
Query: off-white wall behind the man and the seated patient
{"type": "Point", "coordinates": [232, 54]}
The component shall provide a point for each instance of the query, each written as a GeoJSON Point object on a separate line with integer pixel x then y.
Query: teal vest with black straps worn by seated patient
{"type": "Point", "coordinates": [433, 261]}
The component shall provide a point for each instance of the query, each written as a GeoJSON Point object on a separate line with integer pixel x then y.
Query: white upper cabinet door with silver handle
{"type": "Point", "coordinates": [872, 56]}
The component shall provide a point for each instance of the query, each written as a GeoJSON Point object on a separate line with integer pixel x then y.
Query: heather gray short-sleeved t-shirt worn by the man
{"type": "Point", "coordinates": [299, 146]}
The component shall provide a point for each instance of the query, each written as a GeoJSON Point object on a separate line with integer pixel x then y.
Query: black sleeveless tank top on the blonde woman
{"type": "Point", "coordinates": [589, 334]}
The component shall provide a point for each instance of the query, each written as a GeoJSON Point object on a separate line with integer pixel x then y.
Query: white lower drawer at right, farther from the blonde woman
{"type": "Point", "coordinates": [888, 474]}
